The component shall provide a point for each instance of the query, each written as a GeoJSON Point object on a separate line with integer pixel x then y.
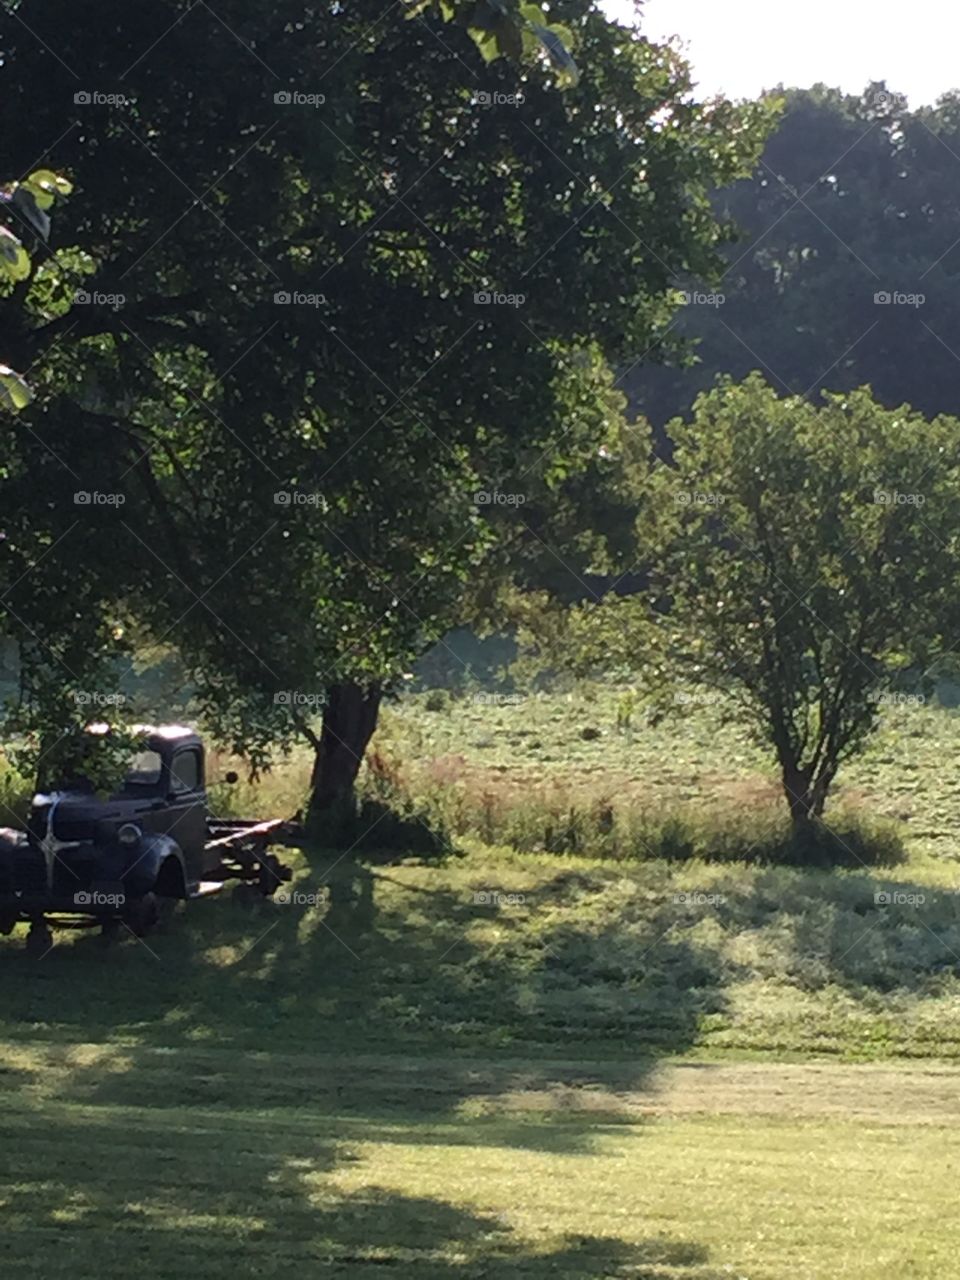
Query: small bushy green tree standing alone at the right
{"type": "Point", "coordinates": [806, 560]}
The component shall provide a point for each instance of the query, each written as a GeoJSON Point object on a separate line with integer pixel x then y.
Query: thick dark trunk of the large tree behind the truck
{"type": "Point", "coordinates": [350, 720]}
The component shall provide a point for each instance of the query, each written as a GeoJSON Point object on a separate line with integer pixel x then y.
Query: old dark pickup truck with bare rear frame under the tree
{"type": "Point", "coordinates": [126, 860]}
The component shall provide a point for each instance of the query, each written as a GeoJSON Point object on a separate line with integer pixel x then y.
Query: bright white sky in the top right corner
{"type": "Point", "coordinates": [742, 47]}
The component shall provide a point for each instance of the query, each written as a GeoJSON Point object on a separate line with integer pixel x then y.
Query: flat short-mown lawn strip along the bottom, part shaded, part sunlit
{"type": "Point", "coordinates": [199, 1163]}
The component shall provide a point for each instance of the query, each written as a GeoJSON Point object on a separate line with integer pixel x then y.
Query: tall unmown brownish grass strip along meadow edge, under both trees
{"type": "Point", "coordinates": [413, 799]}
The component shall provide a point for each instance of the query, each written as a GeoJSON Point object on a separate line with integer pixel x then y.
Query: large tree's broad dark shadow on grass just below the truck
{"type": "Point", "coordinates": [374, 1002]}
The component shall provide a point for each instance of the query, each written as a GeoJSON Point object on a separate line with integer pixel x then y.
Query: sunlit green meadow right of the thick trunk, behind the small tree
{"type": "Point", "coordinates": [543, 755]}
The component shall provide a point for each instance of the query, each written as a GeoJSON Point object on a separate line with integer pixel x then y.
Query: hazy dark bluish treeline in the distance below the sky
{"type": "Point", "coordinates": [856, 202]}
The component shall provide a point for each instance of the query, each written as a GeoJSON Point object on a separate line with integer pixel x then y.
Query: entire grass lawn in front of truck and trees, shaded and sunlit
{"type": "Point", "coordinates": [596, 1077]}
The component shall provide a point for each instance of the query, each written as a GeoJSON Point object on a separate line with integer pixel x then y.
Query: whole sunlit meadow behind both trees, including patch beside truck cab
{"type": "Point", "coordinates": [560, 772]}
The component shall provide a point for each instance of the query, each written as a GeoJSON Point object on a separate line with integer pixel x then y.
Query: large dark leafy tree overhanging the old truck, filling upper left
{"type": "Point", "coordinates": [301, 211]}
